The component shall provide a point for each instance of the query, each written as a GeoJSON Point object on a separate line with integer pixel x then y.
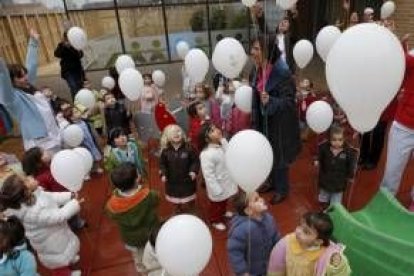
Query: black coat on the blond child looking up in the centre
{"type": "Point", "coordinates": [176, 165]}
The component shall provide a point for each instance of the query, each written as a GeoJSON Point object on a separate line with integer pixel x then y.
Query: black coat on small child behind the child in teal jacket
{"type": "Point", "coordinates": [117, 116]}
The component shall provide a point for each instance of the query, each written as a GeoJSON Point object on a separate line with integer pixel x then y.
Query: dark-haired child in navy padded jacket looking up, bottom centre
{"type": "Point", "coordinates": [252, 235]}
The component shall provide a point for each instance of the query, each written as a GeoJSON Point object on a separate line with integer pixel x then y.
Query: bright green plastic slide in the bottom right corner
{"type": "Point", "coordinates": [379, 239]}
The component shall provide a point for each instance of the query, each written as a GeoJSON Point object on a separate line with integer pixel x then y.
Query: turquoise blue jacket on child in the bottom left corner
{"type": "Point", "coordinates": [20, 263]}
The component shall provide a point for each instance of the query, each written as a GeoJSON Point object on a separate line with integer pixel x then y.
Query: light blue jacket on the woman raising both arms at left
{"type": "Point", "coordinates": [19, 103]}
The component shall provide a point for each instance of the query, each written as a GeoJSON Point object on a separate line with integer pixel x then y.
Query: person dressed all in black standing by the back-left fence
{"type": "Point", "coordinates": [70, 65]}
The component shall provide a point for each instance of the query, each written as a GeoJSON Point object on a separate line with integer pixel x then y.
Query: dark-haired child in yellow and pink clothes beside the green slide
{"type": "Point", "coordinates": [309, 251]}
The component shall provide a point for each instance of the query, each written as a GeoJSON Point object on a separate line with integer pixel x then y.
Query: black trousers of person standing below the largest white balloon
{"type": "Point", "coordinates": [373, 144]}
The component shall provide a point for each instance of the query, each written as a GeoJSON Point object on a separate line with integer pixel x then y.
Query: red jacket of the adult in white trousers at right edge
{"type": "Point", "coordinates": [405, 109]}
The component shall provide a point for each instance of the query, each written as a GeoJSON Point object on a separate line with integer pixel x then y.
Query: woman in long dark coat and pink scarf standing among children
{"type": "Point", "coordinates": [274, 110]}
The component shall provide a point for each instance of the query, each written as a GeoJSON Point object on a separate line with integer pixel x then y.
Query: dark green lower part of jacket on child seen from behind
{"type": "Point", "coordinates": [136, 224]}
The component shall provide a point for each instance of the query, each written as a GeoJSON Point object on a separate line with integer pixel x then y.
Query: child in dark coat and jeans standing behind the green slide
{"type": "Point", "coordinates": [336, 161]}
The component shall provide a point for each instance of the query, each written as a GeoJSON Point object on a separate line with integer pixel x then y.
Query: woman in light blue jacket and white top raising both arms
{"type": "Point", "coordinates": [30, 107]}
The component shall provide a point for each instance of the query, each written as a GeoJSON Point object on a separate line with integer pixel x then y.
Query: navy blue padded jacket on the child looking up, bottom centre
{"type": "Point", "coordinates": [253, 258]}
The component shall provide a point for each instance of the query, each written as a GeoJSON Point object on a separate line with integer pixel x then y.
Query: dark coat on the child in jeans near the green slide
{"type": "Point", "coordinates": [335, 171]}
